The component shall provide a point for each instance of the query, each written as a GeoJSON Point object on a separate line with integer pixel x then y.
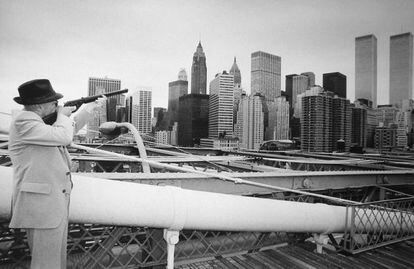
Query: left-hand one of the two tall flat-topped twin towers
{"type": "Point", "coordinates": [366, 68]}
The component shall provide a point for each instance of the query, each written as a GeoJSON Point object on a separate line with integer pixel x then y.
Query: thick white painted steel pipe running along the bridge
{"type": "Point", "coordinates": [100, 201]}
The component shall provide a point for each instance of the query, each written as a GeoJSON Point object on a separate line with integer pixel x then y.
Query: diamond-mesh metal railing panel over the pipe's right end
{"type": "Point", "coordinates": [393, 218]}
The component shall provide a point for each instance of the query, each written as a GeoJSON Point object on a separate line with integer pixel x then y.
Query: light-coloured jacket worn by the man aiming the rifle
{"type": "Point", "coordinates": [41, 165]}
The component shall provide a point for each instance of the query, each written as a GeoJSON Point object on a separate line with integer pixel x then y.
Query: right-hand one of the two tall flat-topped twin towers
{"type": "Point", "coordinates": [401, 68]}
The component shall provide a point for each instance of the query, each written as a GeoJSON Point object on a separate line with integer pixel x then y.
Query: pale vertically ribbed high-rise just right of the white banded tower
{"type": "Point", "coordinates": [250, 119]}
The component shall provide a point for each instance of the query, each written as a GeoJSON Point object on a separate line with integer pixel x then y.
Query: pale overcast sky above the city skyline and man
{"type": "Point", "coordinates": [146, 43]}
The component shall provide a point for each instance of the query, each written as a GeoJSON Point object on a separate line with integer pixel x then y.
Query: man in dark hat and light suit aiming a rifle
{"type": "Point", "coordinates": [41, 163]}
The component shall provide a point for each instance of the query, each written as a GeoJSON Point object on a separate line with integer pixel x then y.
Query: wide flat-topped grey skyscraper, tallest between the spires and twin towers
{"type": "Point", "coordinates": [265, 74]}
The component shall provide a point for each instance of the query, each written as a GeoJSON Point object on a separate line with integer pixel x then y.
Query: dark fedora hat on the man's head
{"type": "Point", "coordinates": [37, 91]}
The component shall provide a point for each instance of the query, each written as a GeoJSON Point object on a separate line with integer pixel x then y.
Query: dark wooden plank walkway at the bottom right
{"type": "Point", "coordinates": [399, 255]}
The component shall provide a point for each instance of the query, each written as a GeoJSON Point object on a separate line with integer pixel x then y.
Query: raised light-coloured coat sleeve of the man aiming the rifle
{"type": "Point", "coordinates": [36, 132]}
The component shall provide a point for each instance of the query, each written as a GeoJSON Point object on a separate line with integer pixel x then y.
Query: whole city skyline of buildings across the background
{"type": "Point", "coordinates": [317, 118]}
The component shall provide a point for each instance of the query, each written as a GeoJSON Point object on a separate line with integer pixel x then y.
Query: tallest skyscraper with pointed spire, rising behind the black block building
{"type": "Point", "coordinates": [199, 71]}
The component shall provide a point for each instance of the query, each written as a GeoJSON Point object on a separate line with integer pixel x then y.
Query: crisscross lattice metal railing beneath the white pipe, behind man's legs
{"type": "Point", "coordinates": [97, 246]}
